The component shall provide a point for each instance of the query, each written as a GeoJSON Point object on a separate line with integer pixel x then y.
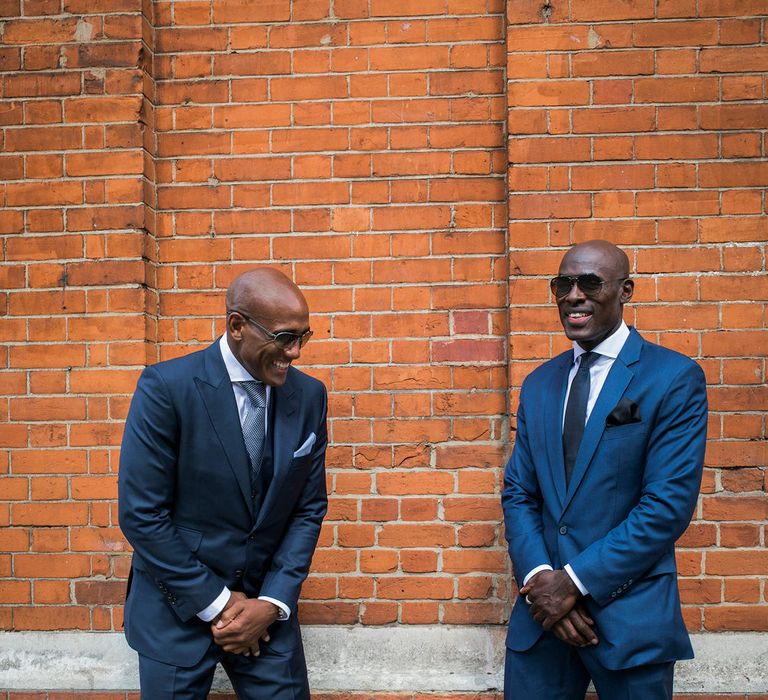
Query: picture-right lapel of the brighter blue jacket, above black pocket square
{"type": "Point", "coordinates": [619, 377]}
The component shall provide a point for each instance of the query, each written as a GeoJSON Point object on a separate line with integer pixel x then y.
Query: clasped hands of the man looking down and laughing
{"type": "Point", "coordinates": [243, 624]}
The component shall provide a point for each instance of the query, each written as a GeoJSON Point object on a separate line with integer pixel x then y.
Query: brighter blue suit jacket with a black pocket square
{"type": "Point", "coordinates": [633, 489]}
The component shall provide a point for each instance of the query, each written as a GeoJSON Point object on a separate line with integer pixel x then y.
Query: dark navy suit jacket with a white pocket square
{"type": "Point", "coordinates": [185, 504]}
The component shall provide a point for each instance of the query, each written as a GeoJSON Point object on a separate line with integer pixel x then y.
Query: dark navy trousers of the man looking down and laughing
{"type": "Point", "coordinates": [273, 675]}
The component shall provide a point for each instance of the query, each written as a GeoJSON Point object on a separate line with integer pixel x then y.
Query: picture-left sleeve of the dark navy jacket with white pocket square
{"type": "Point", "coordinates": [146, 487]}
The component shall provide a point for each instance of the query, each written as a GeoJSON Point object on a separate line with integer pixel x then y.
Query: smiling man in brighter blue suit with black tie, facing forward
{"type": "Point", "coordinates": [603, 479]}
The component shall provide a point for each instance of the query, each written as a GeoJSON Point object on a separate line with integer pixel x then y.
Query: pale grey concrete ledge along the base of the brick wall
{"type": "Point", "coordinates": [445, 658]}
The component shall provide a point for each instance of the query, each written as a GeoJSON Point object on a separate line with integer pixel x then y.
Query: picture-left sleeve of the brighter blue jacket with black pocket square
{"type": "Point", "coordinates": [522, 503]}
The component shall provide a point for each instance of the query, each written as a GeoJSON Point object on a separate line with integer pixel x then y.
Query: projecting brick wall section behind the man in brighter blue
{"type": "Point", "coordinates": [644, 123]}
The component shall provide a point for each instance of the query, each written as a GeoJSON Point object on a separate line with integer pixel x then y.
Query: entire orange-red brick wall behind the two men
{"type": "Point", "coordinates": [151, 153]}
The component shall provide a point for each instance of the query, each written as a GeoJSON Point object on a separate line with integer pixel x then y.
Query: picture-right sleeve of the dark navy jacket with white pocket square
{"type": "Point", "coordinates": [291, 561]}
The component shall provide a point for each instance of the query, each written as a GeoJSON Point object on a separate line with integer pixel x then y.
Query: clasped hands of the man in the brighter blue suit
{"type": "Point", "coordinates": [555, 602]}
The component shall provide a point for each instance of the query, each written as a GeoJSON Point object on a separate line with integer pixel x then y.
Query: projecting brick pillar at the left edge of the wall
{"type": "Point", "coordinates": [74, 275]}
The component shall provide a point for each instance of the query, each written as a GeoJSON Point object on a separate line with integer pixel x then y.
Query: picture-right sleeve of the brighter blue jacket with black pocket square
{"type": "Point", "coordinates": [670, 487]}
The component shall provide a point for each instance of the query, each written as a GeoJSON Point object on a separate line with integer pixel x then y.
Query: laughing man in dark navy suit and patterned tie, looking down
{"type": "Point", "coordinates": [222, 495]}
